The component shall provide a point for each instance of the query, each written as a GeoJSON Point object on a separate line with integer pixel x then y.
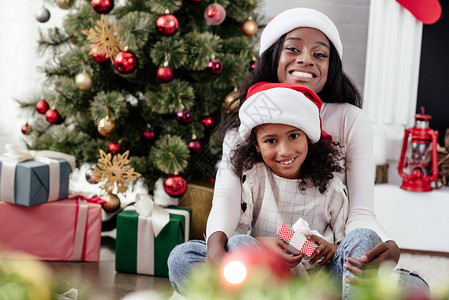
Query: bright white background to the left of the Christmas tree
{"type": "Point", "coordinates": [19, 78]}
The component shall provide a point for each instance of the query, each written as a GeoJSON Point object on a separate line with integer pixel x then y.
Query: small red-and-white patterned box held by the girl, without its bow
{"type": "Point", "coordinates": [298, 243]}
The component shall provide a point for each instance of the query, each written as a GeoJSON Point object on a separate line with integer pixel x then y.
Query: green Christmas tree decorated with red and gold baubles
{"type": "Point", "coordinates": [148, 76]}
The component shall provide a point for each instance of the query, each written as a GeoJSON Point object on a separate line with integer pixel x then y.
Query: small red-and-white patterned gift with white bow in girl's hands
{"type": "Point", "coordinates": [296, 237]}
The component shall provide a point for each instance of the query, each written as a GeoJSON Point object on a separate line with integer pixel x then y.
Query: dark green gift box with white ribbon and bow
{"type": "Point", "coordinates": [145, 239]}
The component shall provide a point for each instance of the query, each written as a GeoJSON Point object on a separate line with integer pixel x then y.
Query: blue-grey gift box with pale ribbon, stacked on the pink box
{"type": "Point", "coordinates": [30, 178]}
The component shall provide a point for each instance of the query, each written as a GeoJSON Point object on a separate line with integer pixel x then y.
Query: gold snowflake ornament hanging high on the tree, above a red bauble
{"type": "Point", "coordinates": [103, 38]}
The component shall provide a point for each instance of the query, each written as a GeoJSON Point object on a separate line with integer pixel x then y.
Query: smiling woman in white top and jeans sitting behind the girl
{"type": "Point", "coordinates": [303, 46]}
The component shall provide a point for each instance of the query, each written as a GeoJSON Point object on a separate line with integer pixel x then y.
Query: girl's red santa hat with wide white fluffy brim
{"type": "Point", "coordinates": [282, 103]}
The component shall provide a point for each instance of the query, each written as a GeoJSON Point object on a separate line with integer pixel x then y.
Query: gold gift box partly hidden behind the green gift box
{"type": "Point", "coordinates": [198, 198]}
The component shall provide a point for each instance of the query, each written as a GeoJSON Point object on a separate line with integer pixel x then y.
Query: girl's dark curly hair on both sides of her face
{"type": "Point", "coordinates": [321, 161]}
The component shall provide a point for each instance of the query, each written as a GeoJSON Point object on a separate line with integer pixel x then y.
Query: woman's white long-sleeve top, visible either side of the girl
{"type": "Point", "coordinates": [347, 125]}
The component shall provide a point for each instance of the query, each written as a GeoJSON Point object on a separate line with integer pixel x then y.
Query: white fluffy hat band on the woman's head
{"type": "Point", "coordinates": [294, 18]}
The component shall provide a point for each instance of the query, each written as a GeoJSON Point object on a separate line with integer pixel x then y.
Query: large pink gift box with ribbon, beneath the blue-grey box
{"type": "Point", "coordinates": [66, 230]}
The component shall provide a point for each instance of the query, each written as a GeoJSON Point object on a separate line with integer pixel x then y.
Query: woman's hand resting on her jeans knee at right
{"type": "Point", "coordinates": [382, 252]}
